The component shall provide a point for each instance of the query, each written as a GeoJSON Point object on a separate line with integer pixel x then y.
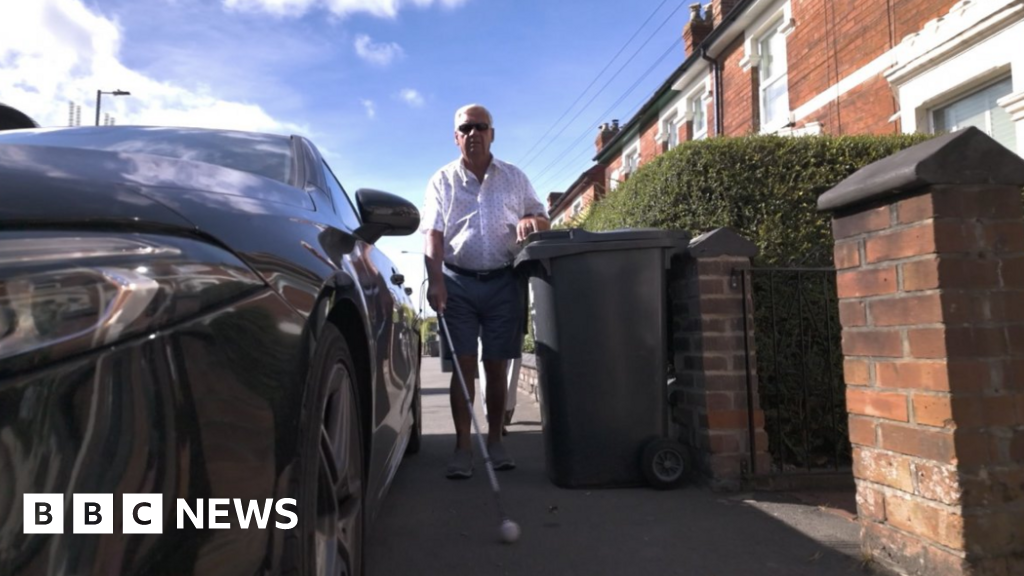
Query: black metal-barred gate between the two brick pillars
{"type": "Point", "coordinates": [799, 361]}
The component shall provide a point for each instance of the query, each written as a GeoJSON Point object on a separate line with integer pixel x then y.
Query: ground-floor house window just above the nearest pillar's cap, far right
{"type": "Point", "coordinates": [982, 111]}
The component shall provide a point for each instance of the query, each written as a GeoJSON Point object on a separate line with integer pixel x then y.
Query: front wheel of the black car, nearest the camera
{"type": "Point", "coordinates": [333, 487]}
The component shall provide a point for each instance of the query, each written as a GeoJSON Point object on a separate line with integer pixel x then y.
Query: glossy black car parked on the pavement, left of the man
{"type": "Point", "coordinates": [200, 317]}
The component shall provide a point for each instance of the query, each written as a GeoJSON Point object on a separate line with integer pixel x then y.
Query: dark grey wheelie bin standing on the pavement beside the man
{"type": "Point", "coordinates": [602, 327]}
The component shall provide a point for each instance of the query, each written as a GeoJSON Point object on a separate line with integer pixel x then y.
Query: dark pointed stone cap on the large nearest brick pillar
{"type": "Point", "coordinates": [965, 157]}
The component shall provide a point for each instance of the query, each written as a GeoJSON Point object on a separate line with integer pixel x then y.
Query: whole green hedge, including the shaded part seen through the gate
{"type": "Point", "coordinates": [766, 188]}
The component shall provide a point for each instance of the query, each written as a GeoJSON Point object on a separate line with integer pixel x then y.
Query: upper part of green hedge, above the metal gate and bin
{"type": "Point", "coordinates": [764, 187]}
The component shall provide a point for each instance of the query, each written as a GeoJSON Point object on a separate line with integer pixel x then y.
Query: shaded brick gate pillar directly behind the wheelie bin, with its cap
{"type": "Point", "coordinates": [711, 399]}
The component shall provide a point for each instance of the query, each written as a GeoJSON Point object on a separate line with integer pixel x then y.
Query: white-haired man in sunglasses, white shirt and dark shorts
{"type": "Point", "coordinates": [478, 211]}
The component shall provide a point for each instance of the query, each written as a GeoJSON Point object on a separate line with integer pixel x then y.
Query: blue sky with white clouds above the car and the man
{"type": "Point", "coordinates": [374, 84]}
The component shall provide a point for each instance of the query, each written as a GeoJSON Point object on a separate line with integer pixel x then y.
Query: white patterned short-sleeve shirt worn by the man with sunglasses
{"type": "Point", "coordinates": [479, 220]}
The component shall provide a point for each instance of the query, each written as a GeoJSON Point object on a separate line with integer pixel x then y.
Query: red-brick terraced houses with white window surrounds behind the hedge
{"type": "Point", "coordinates": [836, 67]}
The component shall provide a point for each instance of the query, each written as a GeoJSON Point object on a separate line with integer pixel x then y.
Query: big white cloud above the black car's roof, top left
{"type": "Point", "coordinates": [56, 52]}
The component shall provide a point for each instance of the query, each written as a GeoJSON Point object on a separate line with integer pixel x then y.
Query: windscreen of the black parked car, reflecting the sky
{"type": "Point", "coordinates": [267, 155]}
